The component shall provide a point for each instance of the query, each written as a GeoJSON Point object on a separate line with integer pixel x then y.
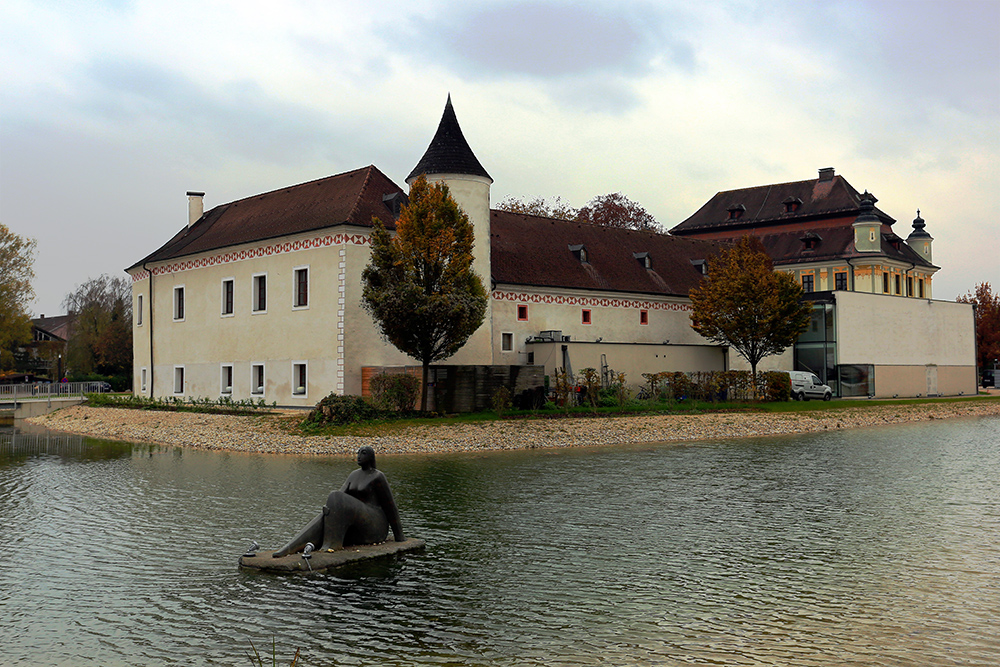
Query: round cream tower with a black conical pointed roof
{"type": "Point", "coordinates": [449, 160]}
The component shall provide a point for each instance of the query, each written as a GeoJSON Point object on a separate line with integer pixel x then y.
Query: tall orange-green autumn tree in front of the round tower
{"type": "Point", "coordinates": [419, 285]}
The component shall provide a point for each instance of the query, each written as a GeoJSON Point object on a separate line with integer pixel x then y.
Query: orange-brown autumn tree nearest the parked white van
{"type": "Point", "coordinates": [745, 304]}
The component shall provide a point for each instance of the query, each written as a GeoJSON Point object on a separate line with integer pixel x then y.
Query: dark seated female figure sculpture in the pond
{"type": "Point", "coordinates": [361, 512]}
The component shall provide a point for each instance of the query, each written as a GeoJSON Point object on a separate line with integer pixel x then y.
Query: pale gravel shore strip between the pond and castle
{"type": "Point", "coordinates": [271, 433]}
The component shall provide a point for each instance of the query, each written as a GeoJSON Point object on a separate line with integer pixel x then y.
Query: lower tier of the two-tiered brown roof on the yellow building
{"type": "Point", "coordinates": [832, 244]}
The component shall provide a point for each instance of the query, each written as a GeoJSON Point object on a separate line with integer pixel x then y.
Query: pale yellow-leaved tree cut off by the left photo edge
{"type": "Point", "coordinates": [17, 254]}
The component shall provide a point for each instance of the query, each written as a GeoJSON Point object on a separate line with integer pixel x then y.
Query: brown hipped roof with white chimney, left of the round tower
{"type": "Point", "coordinates": [351, 198]}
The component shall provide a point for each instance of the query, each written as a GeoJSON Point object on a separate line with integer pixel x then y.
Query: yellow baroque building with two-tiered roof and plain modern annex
{"type": "Point", "coordinates": [875, 330]}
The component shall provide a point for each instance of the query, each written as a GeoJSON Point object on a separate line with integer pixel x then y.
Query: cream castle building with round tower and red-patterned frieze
{"type": "Point", "coordinates": [260, 298]}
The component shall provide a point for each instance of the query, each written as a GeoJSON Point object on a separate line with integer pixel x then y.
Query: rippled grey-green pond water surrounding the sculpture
{"type": "Point", "coordinates": [865, 547]}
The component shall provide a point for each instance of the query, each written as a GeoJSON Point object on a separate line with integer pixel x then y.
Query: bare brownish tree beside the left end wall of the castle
{"type": "Point", "coordinates": [102, 332]}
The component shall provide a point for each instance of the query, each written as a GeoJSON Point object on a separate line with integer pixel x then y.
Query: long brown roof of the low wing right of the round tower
{"type": "Point", "coordinates": [530, 250]}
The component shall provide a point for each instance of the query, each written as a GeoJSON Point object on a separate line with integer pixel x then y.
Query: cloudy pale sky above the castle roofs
{"type": "Point", "coordinates": [111, 110]}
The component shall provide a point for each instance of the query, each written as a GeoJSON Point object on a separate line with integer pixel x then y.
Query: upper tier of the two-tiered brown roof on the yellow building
{"type": "Point", "coordinates": [765, 206]}
